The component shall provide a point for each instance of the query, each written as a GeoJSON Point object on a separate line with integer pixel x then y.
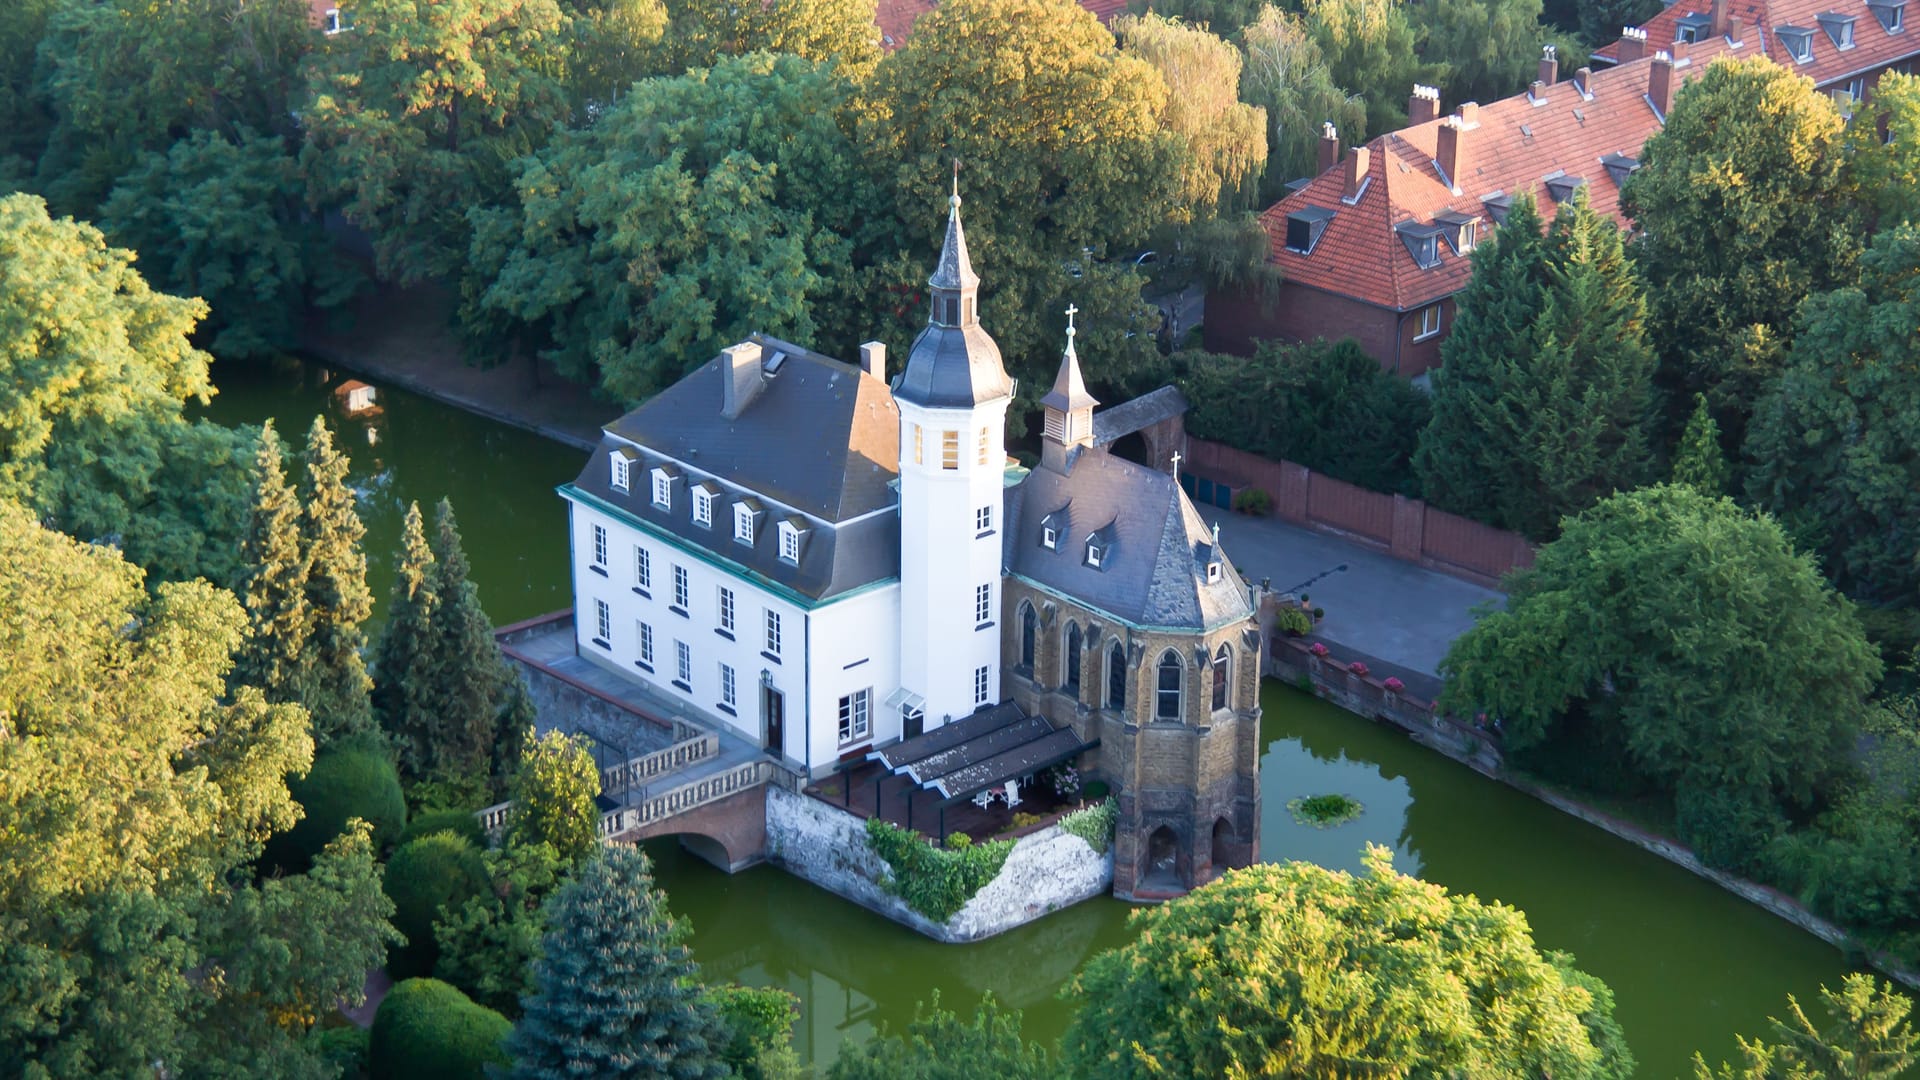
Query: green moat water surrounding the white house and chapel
{"type": "Point", "coordinates": [1689, 964]}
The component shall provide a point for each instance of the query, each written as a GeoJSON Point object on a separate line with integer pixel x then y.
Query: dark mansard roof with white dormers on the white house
{"type": "Point", "coordinates": [819, 445]}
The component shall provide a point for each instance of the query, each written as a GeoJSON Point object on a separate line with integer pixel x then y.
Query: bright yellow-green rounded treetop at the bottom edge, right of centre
{"type": "Point", "coordinates": [1301, 971]}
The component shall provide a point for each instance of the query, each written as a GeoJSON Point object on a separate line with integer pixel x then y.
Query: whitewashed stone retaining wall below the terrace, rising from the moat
{"type": "Point", "coordinates": [827, 847]}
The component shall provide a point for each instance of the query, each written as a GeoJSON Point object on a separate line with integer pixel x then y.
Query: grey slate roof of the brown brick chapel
{"type": "Point", "coordinates": [1153, 572]}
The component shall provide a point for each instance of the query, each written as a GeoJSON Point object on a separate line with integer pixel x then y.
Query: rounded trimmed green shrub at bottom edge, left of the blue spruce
{"type": "Point", "coordinates": [429, 1031]}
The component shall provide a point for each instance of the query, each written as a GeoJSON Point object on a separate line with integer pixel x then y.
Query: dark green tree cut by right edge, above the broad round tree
{"type": "Point", "coordinates": [1836, 445]}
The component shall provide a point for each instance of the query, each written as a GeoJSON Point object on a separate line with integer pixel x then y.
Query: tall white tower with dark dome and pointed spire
{"type": "Point", "coordinates": [953, 403]}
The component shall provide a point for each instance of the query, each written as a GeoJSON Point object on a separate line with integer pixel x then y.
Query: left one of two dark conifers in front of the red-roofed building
{"type": "Point", "coordinates": [1476, 431]}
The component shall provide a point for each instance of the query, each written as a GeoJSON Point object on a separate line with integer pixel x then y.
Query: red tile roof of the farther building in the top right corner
{"type": "Point", "coordinates": [1760, 30]}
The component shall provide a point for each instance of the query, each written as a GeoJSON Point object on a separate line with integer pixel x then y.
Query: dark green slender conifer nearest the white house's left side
{"type": "Point", "coordinates": [460, 681]}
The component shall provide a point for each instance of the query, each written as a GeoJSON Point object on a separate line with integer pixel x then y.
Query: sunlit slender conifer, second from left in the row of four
{"type": "Point", "coordinates": [333, 672]}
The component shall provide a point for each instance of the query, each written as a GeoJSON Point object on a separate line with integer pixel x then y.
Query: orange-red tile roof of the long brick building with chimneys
{"type": "Point", "coordinates": [1516, 147]}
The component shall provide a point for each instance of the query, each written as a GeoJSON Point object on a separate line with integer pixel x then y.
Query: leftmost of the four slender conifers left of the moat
{"type": "Point", "coordinates": [274, 579]}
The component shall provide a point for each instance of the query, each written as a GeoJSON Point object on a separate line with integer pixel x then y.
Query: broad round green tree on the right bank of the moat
{"type": "Point", "coordinates": [1687, 639]}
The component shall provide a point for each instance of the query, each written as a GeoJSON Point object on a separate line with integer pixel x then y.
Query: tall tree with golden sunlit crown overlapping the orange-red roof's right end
{"type": "Point", "coordinates": [1744, 207]}
